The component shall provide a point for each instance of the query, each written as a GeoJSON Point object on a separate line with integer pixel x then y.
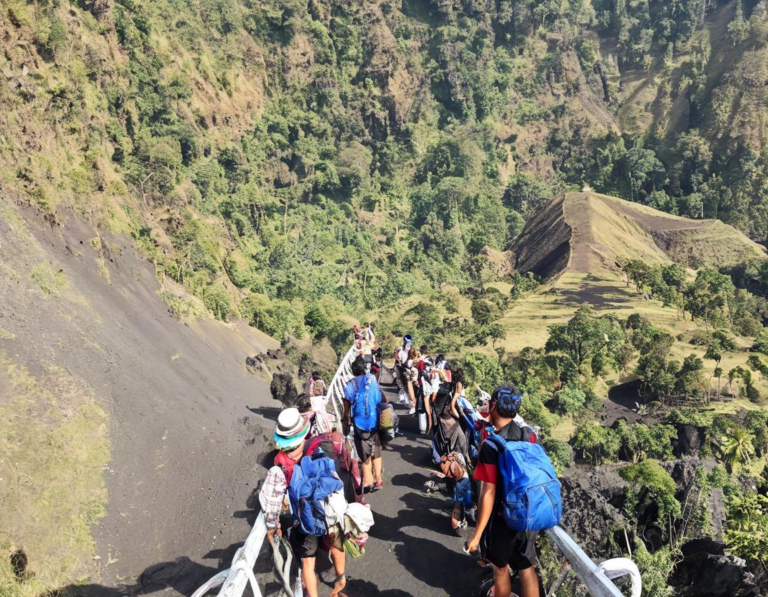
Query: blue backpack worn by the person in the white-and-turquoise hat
{"type": "Point", "coordinates": [312, 481]}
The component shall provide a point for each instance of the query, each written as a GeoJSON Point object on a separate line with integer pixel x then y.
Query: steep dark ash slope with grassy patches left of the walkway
{"type": "Point", "coordinates": [178, 449]}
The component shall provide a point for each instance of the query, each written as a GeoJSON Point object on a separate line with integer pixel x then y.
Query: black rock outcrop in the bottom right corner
{"type": "Point", "coordinates": [707, 571]}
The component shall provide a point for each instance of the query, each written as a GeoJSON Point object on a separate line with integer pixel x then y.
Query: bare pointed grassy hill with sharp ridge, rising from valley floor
{"type": "Point", "coordinates": [589, 233]}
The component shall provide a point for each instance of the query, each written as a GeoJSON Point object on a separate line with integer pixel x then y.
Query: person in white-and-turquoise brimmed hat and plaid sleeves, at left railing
{"type": "Point", "coordinates": [278, 495]}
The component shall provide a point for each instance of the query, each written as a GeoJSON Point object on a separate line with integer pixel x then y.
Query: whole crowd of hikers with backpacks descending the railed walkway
{"type": "Point", "coordinates": [497, 473]}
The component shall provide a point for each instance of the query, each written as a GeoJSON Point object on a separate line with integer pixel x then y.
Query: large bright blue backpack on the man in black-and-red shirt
{"type": "Point", "coordinates": [531, 492]}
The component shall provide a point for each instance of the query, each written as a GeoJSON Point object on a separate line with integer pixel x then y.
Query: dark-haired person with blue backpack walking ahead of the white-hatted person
{"type": "Point", "coordinates": [362, 397]}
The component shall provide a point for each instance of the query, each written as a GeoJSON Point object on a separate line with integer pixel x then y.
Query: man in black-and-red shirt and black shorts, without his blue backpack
{"type": "Point", "coordinates": [503, 546]}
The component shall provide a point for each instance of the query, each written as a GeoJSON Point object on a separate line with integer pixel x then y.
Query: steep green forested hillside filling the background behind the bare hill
{"type": "Point", "coordinates": [339, 155]}
